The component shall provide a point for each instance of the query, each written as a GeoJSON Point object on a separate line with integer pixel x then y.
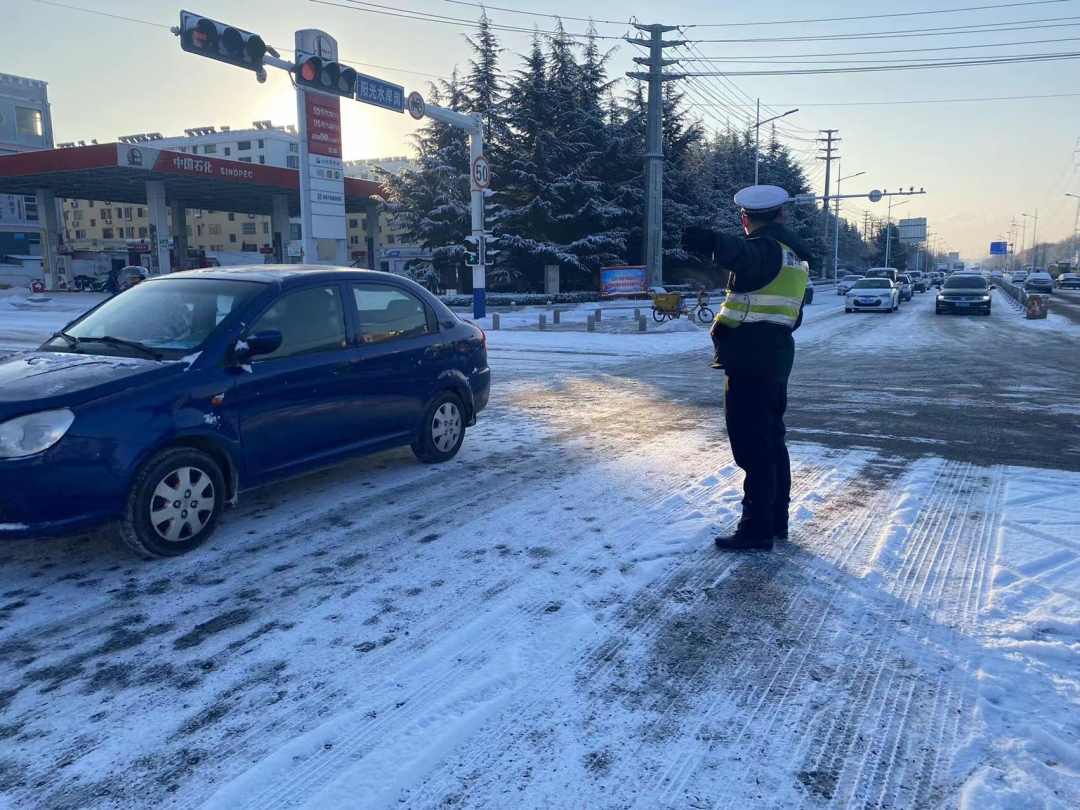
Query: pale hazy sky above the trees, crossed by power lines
{"type": "Point", "coordinates": [983, 164]}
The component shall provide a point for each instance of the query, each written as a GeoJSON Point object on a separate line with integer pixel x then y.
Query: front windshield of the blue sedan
{"type": "Point", "coordinates": [171, 317]}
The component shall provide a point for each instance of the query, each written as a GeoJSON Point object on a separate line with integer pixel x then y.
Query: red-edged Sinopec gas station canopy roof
{"type": "Point", "coordinates": [119, 173]}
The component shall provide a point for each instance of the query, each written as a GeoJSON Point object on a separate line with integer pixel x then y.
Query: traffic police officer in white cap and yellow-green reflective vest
{"type": "Point", "coordinates": [752, 337]}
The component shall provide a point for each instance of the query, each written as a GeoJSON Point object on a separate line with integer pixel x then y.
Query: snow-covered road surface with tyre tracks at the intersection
{"type": "Point", "coordinates": [543, 624]}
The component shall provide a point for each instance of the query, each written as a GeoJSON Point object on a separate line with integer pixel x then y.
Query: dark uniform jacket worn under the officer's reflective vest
{"type": "Point", "coordinates": [762, 349]}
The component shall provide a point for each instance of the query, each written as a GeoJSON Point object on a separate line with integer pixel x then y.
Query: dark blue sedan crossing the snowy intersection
{"type": "Point", "coordinates": [154, 411]}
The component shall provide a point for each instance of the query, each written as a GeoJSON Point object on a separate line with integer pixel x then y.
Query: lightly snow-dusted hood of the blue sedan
{"type": "Point", "coordinates": [43, 381]}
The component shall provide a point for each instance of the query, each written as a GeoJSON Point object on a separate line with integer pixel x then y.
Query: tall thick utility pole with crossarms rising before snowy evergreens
{"type": "Point", "coordinates": [655, 144]}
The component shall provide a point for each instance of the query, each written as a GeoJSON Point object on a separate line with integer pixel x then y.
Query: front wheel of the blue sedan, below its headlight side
{"type": "Point", "coordinates": [174, 504]}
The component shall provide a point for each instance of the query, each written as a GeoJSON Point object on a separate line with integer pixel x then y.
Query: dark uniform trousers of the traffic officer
{"type": "Point", "coordinates": [754, 411]}
